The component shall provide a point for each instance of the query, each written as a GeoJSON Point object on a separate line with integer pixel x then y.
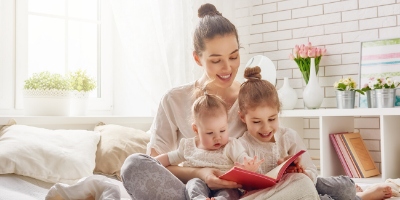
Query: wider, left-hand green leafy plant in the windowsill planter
{"type": "Point", "coordinates": [46, 81]}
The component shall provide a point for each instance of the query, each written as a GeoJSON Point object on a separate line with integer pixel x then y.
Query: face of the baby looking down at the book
{"type": "Point", "coordinates": [212, 131]}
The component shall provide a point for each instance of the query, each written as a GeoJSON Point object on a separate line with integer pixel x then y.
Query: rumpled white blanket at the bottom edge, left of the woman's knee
{"type": "Point", "coordinates": [94, 187]}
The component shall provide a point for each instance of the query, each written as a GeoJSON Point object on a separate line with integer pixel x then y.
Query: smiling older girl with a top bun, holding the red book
{"type": "Point", "coordinates": [259, 107]}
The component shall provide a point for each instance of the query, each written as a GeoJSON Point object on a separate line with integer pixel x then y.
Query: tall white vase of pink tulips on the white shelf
{"type": "Point", "coordinates": [307, 59]}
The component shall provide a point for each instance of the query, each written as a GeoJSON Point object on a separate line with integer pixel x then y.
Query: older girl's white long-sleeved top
{"type": "Point", "coordinates": [287, 142]}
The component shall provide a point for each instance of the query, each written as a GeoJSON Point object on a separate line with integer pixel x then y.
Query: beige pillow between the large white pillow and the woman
{"type": "Point", "coordinates": [116, 144]}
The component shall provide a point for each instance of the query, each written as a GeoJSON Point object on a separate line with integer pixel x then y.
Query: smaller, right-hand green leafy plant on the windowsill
{"type": "Point", "coordinates": [80, 81]}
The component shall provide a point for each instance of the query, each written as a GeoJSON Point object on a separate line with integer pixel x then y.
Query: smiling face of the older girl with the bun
{"type": "Point", "coordinates": [262, 122]}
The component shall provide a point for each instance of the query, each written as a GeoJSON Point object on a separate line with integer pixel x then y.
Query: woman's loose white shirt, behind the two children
{"type": "Point", "coordinates": [172, 122]}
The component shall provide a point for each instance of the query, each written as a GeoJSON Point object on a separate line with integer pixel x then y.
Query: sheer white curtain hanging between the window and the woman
{"type": "Point", "coordinates": [153, 52]}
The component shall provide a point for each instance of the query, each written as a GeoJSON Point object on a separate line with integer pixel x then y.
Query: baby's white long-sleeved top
{"type": "Point", "coordinates": [222, 158]}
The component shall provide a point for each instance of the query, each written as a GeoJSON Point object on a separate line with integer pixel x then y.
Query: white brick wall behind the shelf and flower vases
{"type": "Point", "coordinates": [276, 26]}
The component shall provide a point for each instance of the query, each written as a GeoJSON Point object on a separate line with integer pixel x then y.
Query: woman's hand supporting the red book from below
{"type": "Point", "coordinates": [210, 176]}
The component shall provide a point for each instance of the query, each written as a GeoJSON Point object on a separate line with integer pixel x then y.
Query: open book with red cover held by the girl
{"type": "Point", "coordinates": [251, 180]}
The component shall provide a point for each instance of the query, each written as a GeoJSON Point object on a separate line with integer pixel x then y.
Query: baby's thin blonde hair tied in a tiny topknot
{"type": "Point", "coordinates": [207, 104]}
